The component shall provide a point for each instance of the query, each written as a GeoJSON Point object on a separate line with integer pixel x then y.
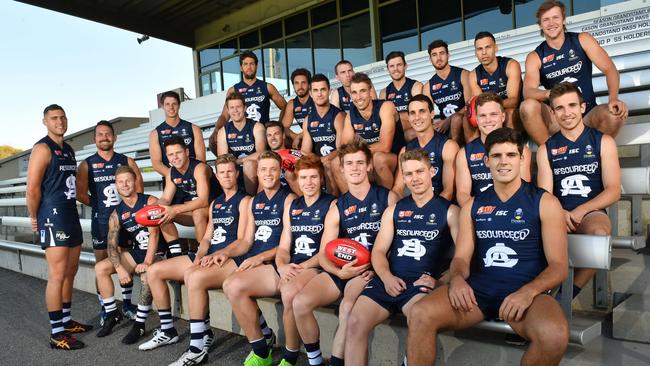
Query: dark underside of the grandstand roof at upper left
{"type": "Point", "coordinates": [171, 20]}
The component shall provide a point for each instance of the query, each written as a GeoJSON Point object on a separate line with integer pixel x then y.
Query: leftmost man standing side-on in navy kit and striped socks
{"type": "Point", "coordinates": [50, 196]}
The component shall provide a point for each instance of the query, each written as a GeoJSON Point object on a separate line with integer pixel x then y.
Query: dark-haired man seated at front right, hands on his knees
{"type": "Point", "coordinates": [517, 233]}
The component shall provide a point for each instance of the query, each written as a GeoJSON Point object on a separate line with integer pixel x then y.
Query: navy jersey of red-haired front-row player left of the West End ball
{"type": "Point", "coordinates": [307, 226]}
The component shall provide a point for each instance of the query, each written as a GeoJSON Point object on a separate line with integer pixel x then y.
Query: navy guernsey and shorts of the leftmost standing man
{"type": "Point", "coordinates": [57, 217]}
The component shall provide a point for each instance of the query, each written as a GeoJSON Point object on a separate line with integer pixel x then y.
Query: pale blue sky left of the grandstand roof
{"type": "Point", "coordinates": [92, 70]}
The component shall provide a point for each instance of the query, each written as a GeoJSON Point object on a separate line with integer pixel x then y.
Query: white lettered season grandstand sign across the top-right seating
{"type": "Point", "coordinates": [622, 27]}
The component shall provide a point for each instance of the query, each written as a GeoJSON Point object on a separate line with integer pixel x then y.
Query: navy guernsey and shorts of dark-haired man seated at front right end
{"type": "Point", "coordinates": [509, 251]}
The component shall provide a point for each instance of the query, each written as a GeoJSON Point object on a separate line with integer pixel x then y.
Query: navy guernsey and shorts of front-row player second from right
{"type": "Point", "coordinates": [420, 239]}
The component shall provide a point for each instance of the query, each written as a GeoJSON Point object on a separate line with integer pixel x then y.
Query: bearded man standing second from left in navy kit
{"type": "Point", "coordinates": [96, 188]}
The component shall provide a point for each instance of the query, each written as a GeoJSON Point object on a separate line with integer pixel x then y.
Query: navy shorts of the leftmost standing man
{"type": "Point", "coordinates": [59, 227]}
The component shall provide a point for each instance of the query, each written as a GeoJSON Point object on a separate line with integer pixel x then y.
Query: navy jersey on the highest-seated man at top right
{"type": "Point", "coordinates": [570, 63]}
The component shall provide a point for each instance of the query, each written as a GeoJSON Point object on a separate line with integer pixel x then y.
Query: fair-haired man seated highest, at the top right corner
{"type": "Point", "coordinates": [567, 56]}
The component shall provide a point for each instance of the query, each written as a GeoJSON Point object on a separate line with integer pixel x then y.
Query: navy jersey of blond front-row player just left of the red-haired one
{"type": "Point", "coordinates": [267, 216]}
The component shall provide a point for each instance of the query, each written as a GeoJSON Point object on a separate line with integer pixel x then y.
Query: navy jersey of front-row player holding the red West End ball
{"type": "Point", "coordinates": [360, 219]}
